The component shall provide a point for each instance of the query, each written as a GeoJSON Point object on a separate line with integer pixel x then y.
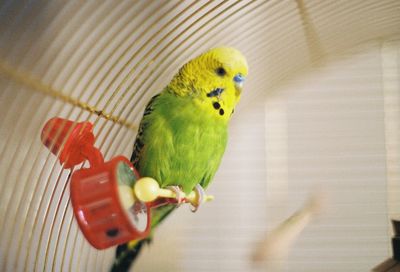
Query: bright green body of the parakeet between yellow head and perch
{"type": "Point", "coordinates": [178, 143]}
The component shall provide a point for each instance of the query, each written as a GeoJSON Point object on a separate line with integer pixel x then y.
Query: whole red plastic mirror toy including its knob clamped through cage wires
{"type": "Point", "coordinates": [101, 195]}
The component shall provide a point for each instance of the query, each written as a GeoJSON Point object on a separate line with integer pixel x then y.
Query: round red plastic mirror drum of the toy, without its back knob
{"type": "Point", "coordinates": [104, 206]}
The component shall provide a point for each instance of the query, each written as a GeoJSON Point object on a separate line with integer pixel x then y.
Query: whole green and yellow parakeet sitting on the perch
{"type": "Point", "coordinates": [184, 130]}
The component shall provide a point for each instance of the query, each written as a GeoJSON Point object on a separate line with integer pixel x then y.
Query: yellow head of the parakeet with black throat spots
{"type": "Point", "coordinates": [214, 80]}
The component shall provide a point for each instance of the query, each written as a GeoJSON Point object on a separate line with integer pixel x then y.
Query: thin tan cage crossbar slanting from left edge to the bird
{"type": "Point", "coordinates": [36, 84]}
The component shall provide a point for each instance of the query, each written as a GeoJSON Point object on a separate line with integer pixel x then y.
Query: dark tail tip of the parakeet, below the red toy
{"type": "Point", "coordinates": [126, 255]}
